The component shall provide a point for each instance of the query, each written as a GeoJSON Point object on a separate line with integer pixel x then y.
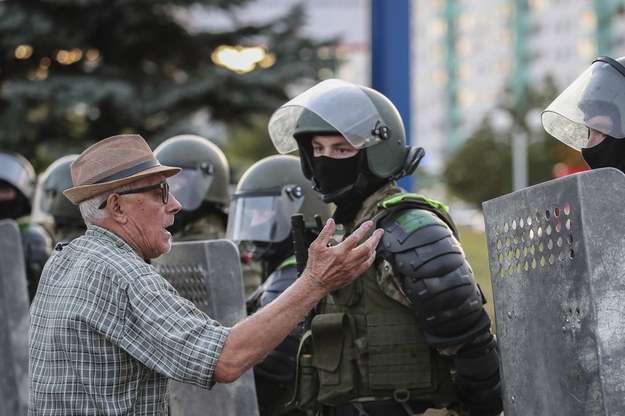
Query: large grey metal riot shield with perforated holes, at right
{"type": "Point", "coordinates": [557, 260]}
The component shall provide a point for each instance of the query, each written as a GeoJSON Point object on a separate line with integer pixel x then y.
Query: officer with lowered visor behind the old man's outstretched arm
{"type": "Point", "coordinates": [268, 193]}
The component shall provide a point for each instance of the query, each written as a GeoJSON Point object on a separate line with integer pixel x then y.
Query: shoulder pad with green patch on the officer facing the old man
{"type": "Point", "coordinates": [410, 228]}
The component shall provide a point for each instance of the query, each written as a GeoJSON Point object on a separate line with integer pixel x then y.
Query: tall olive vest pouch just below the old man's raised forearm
{"type": "Point", "coordinates": [333, 340]}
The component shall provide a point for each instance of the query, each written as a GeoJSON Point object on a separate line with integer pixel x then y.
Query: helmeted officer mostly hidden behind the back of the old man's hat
{"type": "Point", "coordinates": [51, 208]}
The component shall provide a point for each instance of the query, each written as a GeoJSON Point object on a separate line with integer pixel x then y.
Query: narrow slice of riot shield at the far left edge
{"type": "Point", "coordinates": [14, 306]}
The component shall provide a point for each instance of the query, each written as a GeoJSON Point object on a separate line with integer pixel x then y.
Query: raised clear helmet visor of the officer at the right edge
{"type": "Point", "coordinates": [594, 100]}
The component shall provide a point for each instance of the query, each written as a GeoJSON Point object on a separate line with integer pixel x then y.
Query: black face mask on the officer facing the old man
{"type": "Point", "coordinates": [335, 177]}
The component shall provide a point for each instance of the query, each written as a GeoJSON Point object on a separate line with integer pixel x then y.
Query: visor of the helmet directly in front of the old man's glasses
{"type": "Point", "coordinates": [191, 184]}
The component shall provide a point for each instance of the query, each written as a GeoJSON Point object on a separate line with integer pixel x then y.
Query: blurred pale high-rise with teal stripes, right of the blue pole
{"type": "Point", "coordinates": [466, 52]}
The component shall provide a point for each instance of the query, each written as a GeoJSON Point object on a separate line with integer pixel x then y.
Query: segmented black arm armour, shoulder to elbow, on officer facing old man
{"type": "Point", "coordinates": [435, 276]}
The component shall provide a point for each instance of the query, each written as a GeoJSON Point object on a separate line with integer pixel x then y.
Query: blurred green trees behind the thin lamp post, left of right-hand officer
{"type": "Point", "coordinates": [481, 168]}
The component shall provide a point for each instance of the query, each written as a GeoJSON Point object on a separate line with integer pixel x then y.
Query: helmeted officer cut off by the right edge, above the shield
{"type": "Point", "coordinates": [589, 115]}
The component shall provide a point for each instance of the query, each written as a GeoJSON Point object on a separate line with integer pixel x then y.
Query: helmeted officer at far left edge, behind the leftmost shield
{"type": "Point", "coordinates": [17, 185]}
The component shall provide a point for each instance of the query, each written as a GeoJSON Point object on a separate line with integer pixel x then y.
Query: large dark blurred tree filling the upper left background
{"type": "Point", "coordinates": [73, 71]}
